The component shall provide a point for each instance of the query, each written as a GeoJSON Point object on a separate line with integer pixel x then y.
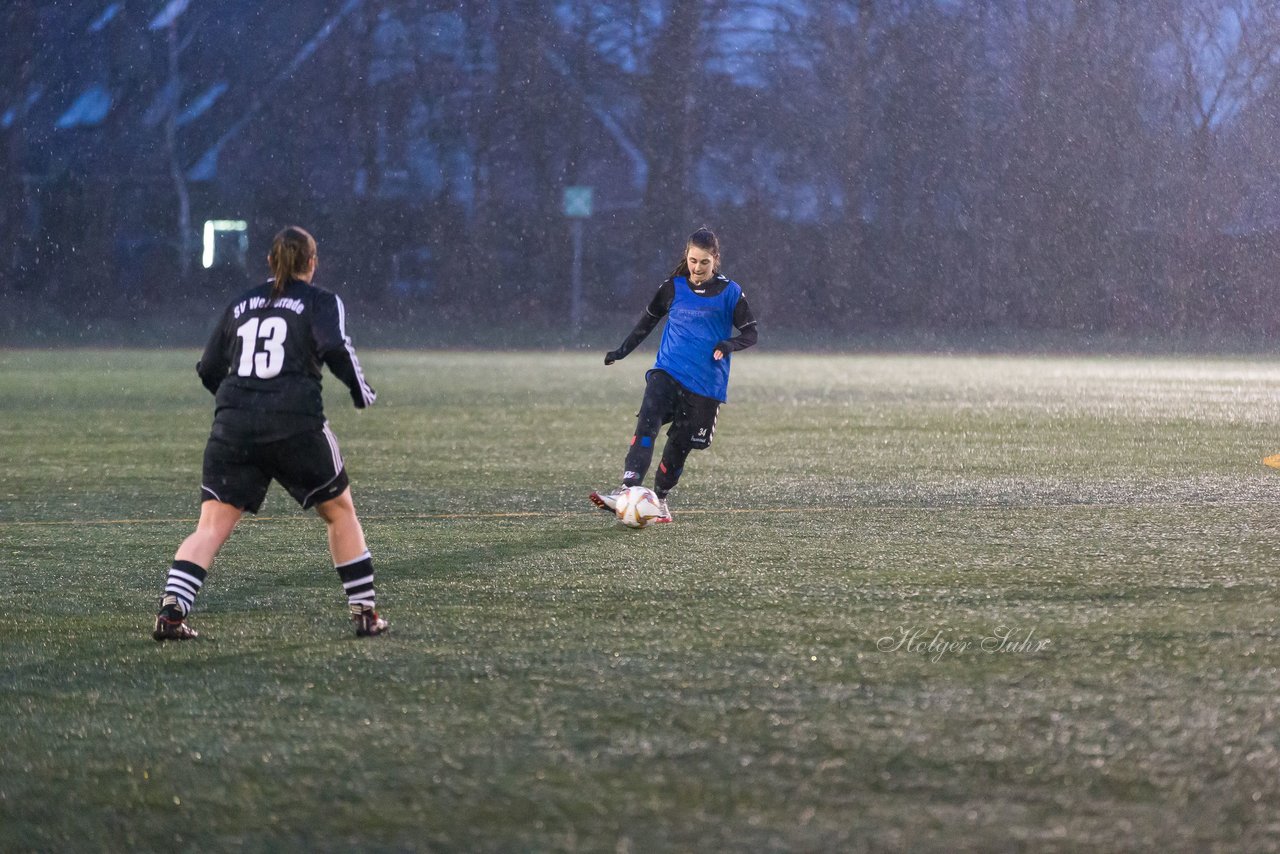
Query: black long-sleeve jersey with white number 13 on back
{"type": "Point", "coordinates": [263, 362]}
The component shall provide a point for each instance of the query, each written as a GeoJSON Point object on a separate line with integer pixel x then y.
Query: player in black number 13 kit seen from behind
{"type": "Point", "coordinates": [263, 364]}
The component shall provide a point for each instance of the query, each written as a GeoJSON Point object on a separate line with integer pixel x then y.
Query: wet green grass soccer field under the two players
{"type": "Point", "coordinates": [908, 604]}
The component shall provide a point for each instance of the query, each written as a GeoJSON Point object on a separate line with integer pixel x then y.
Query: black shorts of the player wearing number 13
{"type": "Point", "coordinates": [309, 465]}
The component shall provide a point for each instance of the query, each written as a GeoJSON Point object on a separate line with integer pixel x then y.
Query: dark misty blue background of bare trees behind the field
{"type": "Point", "coordinates": [973, 172]}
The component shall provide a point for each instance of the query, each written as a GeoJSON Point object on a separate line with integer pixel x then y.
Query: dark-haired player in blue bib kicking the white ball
{"type": "Point", "coordinates": [691, 378]}
